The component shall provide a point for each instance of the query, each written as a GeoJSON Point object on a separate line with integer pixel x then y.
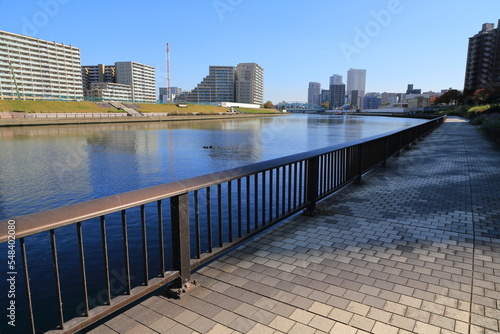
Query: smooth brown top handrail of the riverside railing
{"type": "Point", "coordinates": [34, 223]}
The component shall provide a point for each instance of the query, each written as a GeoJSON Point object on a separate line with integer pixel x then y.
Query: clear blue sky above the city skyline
{"type": "Point", "coordinates": [398, 42]}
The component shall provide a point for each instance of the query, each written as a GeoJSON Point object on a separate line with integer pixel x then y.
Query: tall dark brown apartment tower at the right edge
{"type": "Point", "coordinates": [483, 59]}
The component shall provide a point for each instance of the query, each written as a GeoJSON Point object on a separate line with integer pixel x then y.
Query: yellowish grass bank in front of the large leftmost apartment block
{"type": "Point", "coordinates": [52, 107]}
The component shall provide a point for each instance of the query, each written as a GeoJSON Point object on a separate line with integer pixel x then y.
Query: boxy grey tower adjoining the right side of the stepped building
{"type": "Point", "coordinates": [249, 83]}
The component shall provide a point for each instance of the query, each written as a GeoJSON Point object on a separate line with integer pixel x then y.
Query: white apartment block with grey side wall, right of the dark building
{"type": "Point", "coordinates": [142, 79]}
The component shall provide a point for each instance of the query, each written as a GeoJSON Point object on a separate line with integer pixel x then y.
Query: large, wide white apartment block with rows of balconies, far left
{"type": "Point", "coordinates": [32, 68]}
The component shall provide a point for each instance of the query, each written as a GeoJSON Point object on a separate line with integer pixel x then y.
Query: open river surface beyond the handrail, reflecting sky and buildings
{"type": "Point", "coordinates": [51, 166]}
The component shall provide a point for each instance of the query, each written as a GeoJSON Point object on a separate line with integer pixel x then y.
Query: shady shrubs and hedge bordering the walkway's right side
{"type": "Point", "coordinates": [487, 117]}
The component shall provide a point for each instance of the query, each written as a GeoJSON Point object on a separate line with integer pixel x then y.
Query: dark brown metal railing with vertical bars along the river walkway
{"type": "Point", "coordinates": [159, 235]}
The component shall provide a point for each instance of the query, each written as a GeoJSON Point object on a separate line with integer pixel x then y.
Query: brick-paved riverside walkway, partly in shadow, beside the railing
{"type": "Point", "coordinates": [415, 249]}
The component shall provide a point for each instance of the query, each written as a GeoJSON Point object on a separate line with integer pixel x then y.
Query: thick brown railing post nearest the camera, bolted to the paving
{"type": "Point", "coordinates": [179, 208]}
